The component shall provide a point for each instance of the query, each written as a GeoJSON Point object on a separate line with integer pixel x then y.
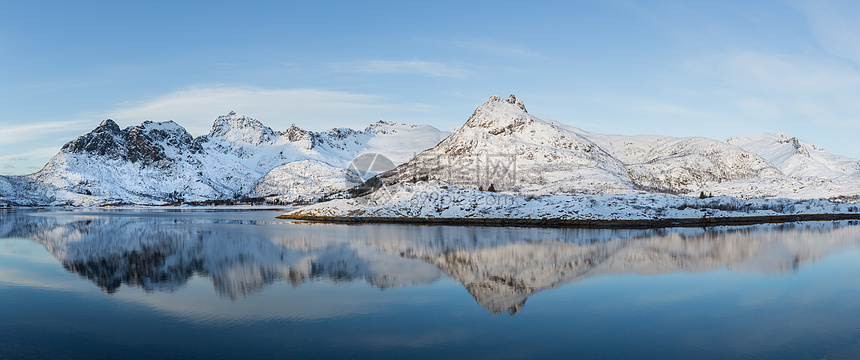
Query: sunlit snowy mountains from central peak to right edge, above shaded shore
{"type": "Point", "coordinates": [501, 144]}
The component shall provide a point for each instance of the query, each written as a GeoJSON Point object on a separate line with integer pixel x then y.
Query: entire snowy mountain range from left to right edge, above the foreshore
{"type": "Point", "coordinates": [500, 145]}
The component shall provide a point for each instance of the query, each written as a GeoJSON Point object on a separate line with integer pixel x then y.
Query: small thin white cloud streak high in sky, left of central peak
{"type": "Point", "coordinates": [428, 68]}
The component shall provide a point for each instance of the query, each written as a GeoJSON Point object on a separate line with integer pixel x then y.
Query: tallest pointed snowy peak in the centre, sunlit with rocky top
{"type": "Point", "coordinates": [501, 136]}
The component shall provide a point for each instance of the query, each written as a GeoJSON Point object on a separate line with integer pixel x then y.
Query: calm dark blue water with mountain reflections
{"type": "Point", "coordinates": [198, 284]}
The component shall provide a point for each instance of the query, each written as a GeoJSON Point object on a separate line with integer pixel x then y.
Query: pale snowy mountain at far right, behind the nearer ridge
{"type": "Point", "coordinates": [796, 158]}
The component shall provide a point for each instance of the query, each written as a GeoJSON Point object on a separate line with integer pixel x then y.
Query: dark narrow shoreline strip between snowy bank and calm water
{"type": "Point", "coordinates": [586, 224]}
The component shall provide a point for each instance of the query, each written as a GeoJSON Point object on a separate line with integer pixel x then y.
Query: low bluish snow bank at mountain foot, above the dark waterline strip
{"type": "Point", "coordinates": [435, 199]}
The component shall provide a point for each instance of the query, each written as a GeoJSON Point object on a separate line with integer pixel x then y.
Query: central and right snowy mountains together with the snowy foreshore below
{"type": "Point", "coordinates": [546, 170]}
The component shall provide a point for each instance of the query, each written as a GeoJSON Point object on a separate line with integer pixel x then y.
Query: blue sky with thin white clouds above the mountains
{"type": "Point", "coordinates": [683, 68]}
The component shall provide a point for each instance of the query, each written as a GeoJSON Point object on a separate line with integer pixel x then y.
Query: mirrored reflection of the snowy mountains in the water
{"type": "Point", "coordinates": [500, 267]}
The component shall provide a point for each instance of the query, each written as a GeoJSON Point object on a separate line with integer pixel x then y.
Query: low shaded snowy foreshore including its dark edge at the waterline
{"type": "Point", "coordinates": [437, 203]}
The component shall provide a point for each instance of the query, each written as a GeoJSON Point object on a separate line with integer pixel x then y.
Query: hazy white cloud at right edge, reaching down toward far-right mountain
{"type": "Point", "coordinates": [810, 95]}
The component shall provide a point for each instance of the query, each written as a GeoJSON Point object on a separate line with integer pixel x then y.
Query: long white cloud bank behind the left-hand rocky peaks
{"type": "Point", "coordinates": [197, 107]}
